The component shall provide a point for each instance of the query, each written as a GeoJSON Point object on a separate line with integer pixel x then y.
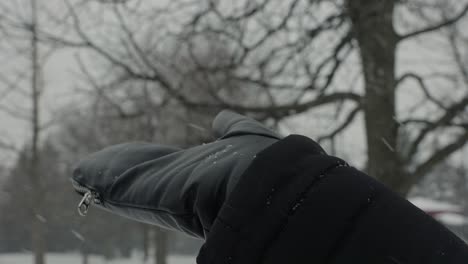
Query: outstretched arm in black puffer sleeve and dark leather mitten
{"type": "Point", "coordinates": [292, 203]}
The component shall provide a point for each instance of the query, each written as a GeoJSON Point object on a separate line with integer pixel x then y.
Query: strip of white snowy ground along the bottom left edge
{"type": "Point", "coordinates": [72, 258]}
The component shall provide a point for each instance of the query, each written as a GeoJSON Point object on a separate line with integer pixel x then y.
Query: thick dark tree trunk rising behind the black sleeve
{"type": "Point", "coordinates": [372, 22]}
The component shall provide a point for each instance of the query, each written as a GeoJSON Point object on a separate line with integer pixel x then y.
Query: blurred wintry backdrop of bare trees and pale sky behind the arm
{"type": "Point", "coordinates": [383, 84]}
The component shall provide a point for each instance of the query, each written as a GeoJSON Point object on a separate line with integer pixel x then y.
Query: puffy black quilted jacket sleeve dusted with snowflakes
{"type": "Point", "coordinates": [305, 206]}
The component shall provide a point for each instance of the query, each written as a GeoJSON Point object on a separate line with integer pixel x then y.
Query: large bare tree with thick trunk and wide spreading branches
{"type": "Point", "coordinates": [296, 56]}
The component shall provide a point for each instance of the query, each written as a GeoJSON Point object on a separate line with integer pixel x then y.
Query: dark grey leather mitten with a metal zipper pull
{"type": "Point", "coordinates": [166, 186]}
